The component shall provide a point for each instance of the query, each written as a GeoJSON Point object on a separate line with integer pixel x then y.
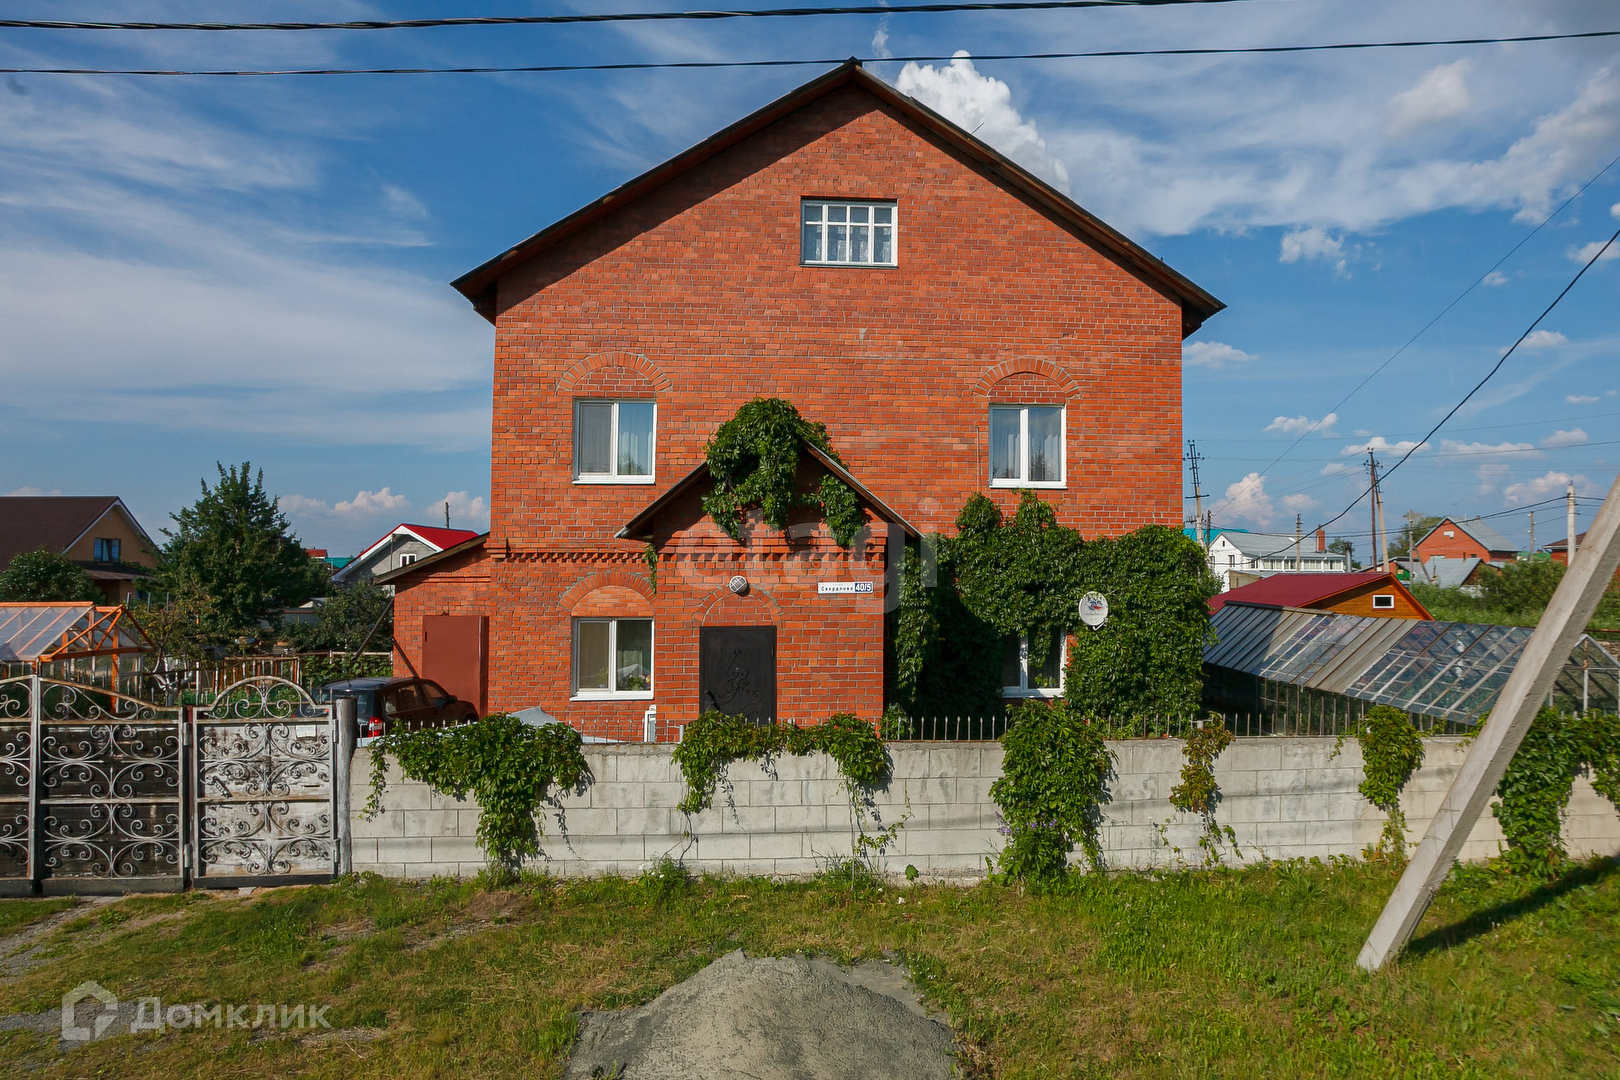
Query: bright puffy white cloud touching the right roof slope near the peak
{"type": "Point", "coordinates": [983, 106]}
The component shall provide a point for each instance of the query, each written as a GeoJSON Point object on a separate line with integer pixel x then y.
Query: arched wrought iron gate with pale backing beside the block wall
{"type": "Point", "coordinates": [263, 783]}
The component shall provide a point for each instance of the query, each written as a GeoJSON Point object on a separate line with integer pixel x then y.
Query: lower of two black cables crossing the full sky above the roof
{"type": "Point", "coordinates": [822, 62]}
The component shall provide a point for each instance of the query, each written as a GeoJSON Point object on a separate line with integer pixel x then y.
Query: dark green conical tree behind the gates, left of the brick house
{"type": "Point", "coordinates": [236, 545]}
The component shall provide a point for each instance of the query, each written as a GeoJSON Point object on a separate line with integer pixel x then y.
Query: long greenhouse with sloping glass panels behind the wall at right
{"type": "Point", "coordinates": [1289, 665]}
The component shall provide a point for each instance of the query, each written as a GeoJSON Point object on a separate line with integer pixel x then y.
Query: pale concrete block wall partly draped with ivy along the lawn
{"type": "Point", "coordinates": [1284, 799]}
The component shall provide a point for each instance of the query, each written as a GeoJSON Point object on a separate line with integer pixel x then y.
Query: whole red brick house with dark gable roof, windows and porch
{"type": "Point", "coordinates": [958, 326]}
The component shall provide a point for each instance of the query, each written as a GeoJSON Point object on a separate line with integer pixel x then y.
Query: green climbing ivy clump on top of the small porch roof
{"type": "Point", "coordinates": [754, 461]}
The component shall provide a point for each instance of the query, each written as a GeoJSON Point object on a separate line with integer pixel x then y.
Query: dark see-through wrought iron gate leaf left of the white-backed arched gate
{"type": "Point", "coordinates": [106, 784]}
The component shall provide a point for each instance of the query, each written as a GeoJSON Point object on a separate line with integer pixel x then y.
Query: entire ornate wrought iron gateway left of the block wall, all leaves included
{"type": "Point", "coordinates": [108, 793]}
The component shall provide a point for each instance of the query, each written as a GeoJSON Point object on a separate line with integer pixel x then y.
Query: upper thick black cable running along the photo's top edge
{"type": "Point", "coordinates": [620, 17]}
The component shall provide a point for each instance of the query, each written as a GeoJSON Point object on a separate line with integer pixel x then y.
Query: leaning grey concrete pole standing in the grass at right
{"type": "Point", "coordinates": [1546, 652]}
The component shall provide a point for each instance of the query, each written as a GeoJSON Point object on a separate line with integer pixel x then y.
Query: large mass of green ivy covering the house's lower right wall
{"type": "Point", "coordinates": [1026, 577]}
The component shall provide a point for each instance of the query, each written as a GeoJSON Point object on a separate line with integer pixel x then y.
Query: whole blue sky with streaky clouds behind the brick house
{"type": "Point", "coordinates": [257, 270]}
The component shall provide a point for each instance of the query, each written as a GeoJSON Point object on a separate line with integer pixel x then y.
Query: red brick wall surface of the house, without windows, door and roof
{"type": "Point", "coordinates": [694, 296]}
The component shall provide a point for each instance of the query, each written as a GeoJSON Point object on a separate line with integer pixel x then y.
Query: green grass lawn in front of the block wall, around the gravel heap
{"type": "Point", "coordinates": [1229, 974]}
